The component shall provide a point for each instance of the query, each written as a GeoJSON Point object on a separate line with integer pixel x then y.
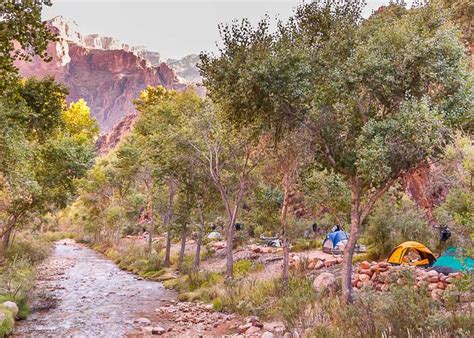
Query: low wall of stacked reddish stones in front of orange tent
{"type": "Point", "coordinates": [382, 275]}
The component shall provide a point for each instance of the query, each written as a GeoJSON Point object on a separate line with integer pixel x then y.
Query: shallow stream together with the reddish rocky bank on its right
{"type": "Point", "coordinates": [81, 293]}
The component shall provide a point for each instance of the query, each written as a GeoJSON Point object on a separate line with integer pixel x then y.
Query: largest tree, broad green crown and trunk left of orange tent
{"type": "Point", "coordinates": [378, 95]}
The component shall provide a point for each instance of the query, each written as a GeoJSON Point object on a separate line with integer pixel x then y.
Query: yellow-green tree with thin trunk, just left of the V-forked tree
{"type": "Point", "coordinates": [160, 114]}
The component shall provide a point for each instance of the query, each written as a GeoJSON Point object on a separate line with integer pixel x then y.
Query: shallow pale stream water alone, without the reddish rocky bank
{"type": "Point", "coordinates": [81, 293]}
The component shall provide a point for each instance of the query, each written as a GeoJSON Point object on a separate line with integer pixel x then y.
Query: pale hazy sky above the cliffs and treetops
{"type": "Point", "coordinates": [173, 28]}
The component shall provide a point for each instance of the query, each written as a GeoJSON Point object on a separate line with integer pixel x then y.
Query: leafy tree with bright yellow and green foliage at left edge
{"type": "Point", "coordinates": [42, 154]}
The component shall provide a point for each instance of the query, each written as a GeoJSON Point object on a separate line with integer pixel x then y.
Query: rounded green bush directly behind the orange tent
{"type": "Point", "coordinates": [394, 222]}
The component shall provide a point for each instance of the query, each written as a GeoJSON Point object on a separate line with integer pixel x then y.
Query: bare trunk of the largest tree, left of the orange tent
{"type": "Point", "coordinates": [349, 250]}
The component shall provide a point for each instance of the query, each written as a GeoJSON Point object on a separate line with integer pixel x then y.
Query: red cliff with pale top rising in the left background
{"type": "Point", "coordinates": [109, 75]}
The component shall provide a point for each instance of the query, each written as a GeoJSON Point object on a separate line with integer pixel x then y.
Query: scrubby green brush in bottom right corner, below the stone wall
{"type": "Point", "coordinates": [396, 312]}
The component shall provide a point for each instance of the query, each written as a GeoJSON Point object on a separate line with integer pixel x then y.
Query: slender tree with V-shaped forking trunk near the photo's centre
{"type": "Point", "coordinates": [230, 159]}
